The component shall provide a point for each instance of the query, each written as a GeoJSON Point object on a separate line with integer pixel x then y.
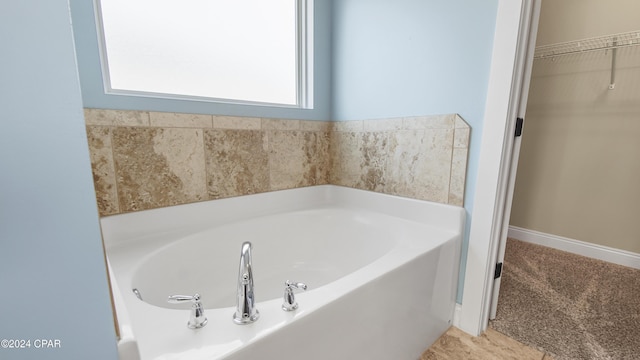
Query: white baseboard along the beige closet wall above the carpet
{"type": "Point", "coordinates": [604, 253]}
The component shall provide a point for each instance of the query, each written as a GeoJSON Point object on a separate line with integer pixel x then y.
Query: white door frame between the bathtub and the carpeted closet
{"type": "Point", "coordinates": [515, 21]}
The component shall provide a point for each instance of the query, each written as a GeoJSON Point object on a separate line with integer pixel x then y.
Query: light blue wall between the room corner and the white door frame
{"type": "Point", "coordinates": [415, 57]}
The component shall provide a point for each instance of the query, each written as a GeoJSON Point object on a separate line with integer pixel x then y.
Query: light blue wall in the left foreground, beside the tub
{"type": "Point", "coordinates": [53, 281]}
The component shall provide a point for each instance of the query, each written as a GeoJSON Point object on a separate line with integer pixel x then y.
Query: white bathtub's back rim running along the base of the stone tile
{"type": "Point", "coordinates": [120, 228]}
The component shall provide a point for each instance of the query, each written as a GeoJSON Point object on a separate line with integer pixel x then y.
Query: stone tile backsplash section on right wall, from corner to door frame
{"type": "Point", "coordinates": [421, 157]}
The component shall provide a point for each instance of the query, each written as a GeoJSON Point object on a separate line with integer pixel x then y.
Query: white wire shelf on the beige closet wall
{"type": "Point", "coordinates": [608, 42]}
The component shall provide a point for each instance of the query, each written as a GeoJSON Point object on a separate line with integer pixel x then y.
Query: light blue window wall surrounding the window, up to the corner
{"type": "Point", "coordinates": [93, 90]}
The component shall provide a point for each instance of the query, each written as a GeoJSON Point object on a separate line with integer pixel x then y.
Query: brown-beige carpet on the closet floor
{"type": "Point", "coordinates": [567, 305]}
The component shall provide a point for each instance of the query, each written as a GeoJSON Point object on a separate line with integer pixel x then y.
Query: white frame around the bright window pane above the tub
{"type": "Point", "coordinates": [303, 71]}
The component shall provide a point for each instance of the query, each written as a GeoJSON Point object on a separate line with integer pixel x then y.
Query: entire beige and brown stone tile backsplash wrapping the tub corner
{"type": "Point", "coordinates": [143, 160]}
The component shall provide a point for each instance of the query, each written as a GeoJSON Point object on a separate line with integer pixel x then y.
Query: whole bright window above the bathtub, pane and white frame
{"type": "Point", "coordinates": [248, 51]}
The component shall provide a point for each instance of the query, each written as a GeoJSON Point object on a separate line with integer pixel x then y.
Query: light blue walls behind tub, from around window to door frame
{"type": "Point", "coordinates": [373, 59]}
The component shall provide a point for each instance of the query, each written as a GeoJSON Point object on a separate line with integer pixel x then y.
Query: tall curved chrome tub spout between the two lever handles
{"type": "Point", "coordinates": [246, 312]}
